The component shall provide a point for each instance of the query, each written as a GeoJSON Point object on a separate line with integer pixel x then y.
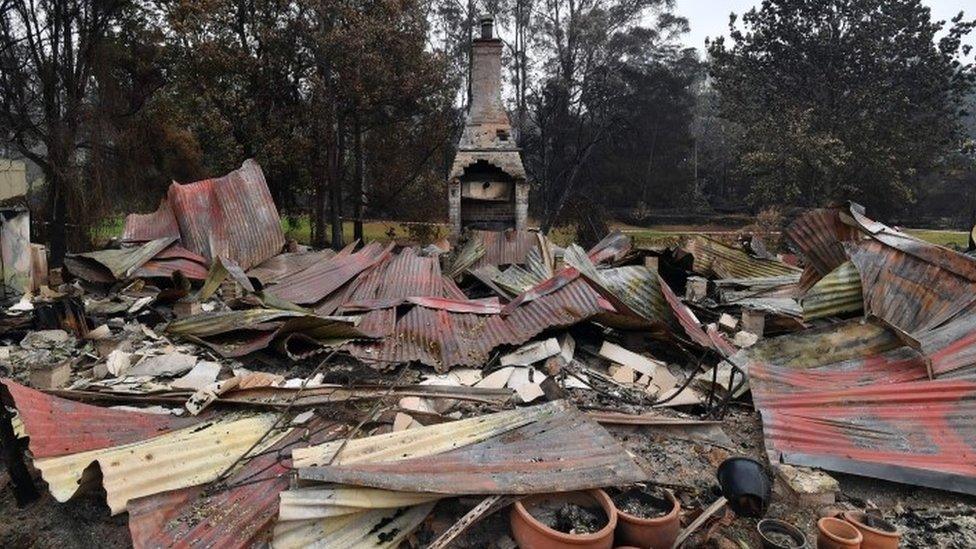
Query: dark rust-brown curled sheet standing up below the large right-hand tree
{"type": "Point", "coordinates": [819, 235]}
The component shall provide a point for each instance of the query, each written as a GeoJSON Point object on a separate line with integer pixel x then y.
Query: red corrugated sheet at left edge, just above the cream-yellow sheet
{"type": "Point", "coordinates": [58, 426]}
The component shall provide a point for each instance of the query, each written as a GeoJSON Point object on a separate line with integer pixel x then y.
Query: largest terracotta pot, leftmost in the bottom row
{"type": "Point", "coordinates": [529, 533]}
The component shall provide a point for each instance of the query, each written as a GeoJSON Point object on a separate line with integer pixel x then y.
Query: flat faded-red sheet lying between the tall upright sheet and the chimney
{"type": "Point", "coordinates": [321, 279]}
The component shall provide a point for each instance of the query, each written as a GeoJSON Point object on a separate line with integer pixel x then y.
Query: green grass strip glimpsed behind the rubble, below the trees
{"type": "Point", "coordinates": [299, 229]}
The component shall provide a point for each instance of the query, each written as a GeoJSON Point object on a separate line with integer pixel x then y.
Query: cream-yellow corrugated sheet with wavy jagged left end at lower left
{"type": "Point", "coordinates": [187, 457]}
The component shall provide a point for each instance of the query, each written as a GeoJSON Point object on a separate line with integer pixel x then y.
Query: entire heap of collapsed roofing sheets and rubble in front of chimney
{"type": "Point", "coordinates": [378, 395]}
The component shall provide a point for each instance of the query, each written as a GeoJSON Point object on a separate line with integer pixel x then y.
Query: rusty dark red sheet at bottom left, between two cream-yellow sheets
{"type": "Point", "coordinates": [239, 516]}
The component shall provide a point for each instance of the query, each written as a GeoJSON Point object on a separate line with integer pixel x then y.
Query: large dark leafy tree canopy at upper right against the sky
{"type": "Point", "coordinates": [843, 99]}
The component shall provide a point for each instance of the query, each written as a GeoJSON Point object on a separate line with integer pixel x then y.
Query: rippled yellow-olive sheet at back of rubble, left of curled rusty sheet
{"type": "Point", "coordinates": [716, 260]}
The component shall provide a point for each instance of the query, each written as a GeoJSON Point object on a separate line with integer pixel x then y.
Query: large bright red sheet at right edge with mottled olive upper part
{"type": "Point", "coordinates": [851, 398]}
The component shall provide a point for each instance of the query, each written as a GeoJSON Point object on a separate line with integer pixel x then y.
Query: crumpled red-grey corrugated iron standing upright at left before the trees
{"type": "Point", "coordinates": [231, 216]}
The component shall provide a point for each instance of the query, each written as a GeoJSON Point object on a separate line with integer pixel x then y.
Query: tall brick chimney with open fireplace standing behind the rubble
{"type": "Point", "coordinates": [487, 184]}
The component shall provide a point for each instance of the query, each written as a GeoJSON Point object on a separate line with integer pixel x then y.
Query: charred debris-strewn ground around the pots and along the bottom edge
{"type": "Point", "coordinates": [686, 462]}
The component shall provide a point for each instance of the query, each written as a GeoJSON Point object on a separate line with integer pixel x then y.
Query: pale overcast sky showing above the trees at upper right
{"type": "Point", "coordinates": [711, 17]}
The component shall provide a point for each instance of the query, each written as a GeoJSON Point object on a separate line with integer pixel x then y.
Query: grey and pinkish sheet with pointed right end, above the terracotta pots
{"type": "Point", "coordinates": [562, 450]}
